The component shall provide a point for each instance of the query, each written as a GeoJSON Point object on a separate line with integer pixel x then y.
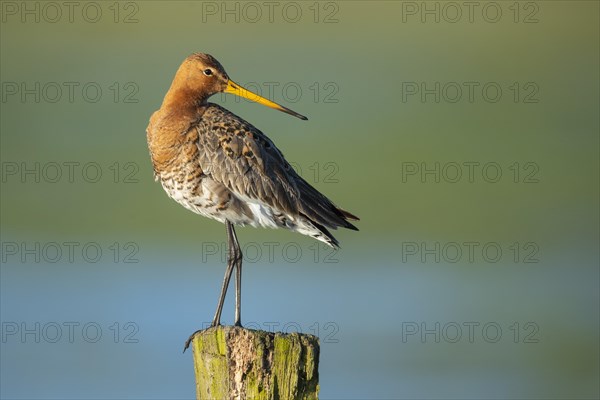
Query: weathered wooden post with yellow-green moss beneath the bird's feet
{"type": "Point", "coordinates": [237, 363]}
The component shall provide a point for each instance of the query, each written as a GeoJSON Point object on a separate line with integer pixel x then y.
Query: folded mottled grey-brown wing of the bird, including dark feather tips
{"type": "Point", "coordinates": [241, 157]}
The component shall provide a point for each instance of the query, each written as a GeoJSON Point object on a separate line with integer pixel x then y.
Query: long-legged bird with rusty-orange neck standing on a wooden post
{"type": "Point", "coordinates": [216, 164]}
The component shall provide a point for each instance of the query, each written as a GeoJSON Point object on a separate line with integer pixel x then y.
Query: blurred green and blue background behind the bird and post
{"type": "Point", "coordinates": [388, 304]}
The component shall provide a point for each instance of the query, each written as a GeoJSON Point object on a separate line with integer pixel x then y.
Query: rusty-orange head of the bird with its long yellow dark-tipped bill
{"type": "Point", "coordinates": [204, 76]}
